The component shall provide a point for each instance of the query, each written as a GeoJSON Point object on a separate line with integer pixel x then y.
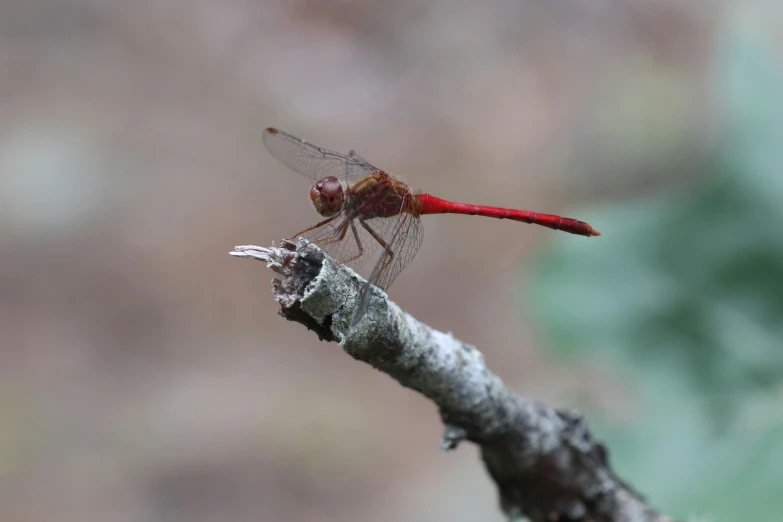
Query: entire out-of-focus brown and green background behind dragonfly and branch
{"type": "Point", "coordinates": [145, 374]}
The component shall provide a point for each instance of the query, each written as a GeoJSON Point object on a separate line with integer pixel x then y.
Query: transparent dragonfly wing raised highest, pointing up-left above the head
{"type": "Point", "coordinates": [311, 161]}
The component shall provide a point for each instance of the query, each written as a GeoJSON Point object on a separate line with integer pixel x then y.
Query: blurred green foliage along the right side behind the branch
{"type": "Point", "coordinates": [682, 297]}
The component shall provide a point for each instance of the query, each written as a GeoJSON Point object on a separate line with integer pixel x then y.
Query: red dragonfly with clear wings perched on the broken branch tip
{"type": "Point", "coordinates": [367, 209]}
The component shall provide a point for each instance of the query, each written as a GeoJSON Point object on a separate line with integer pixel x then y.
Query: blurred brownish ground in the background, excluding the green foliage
{"type": "Point", "coordinates": [145, 375]}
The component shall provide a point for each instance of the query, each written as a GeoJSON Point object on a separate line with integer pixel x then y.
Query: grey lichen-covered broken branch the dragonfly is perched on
{"type": "Point", "coordinates": [545, 463]}
